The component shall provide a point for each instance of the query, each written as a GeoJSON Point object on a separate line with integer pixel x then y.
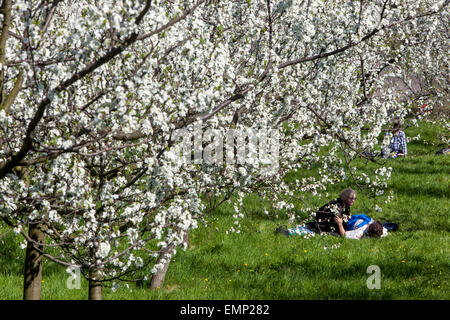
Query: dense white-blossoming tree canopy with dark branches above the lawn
{"type": "Point", "coordinates": [97, 95]}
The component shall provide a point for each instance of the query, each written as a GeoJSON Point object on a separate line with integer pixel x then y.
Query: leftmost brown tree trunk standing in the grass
{"type": "Point", "coordinates": [33, 265]}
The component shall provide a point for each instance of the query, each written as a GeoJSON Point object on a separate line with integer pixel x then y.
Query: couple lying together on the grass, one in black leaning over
{"type": "Point", "coordinates": [334, 218]}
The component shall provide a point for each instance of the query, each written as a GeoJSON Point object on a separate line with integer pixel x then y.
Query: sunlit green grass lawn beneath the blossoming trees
{"type": "Point", "coordinates": [257, 264]}
